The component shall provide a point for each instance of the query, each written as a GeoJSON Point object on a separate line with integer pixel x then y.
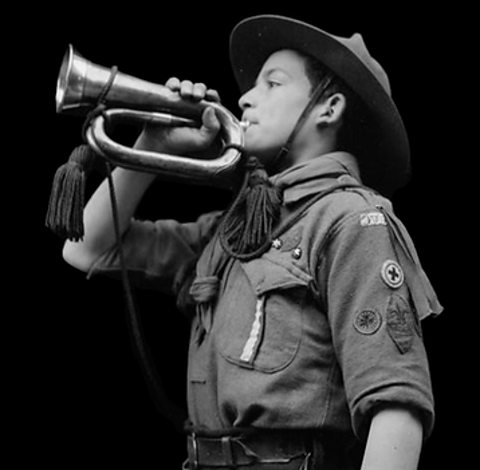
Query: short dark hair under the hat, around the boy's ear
{"type": "Point", "coordinates": [354, 132]}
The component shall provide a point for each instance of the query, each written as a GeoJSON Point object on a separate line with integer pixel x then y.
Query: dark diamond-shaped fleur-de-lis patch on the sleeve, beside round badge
{"type": "Point", "coordinates": [400, 323]}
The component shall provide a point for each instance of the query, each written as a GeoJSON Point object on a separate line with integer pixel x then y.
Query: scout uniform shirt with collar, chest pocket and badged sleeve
{"type": "Point", "coordinates": [320, 331]}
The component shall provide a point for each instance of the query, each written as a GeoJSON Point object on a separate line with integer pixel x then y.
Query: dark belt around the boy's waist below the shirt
{"type": "Point", "coordinates": [270, 449]}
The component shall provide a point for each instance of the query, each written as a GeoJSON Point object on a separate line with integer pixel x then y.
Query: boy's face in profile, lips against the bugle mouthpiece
{"type": "Point", "coordinates": [275, 103]}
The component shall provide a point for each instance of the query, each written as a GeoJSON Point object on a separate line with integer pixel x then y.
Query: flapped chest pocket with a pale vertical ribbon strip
{"type": "Point", "coordinates": [265, 334]}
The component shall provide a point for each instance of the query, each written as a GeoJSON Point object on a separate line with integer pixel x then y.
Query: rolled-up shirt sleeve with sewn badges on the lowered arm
{"type": "Point", "coordinates": [376, 330]}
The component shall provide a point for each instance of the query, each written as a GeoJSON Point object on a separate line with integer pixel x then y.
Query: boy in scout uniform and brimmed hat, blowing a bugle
{"type": "Point", "coordinates": [306, 347]}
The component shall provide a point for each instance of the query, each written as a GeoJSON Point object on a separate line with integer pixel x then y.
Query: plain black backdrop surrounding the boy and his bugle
{"type": "Point", "coordinates": [81, 396]}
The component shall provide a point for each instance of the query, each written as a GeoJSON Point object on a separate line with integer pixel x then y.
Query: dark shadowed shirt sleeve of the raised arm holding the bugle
{"type": "Point", "coordinates": [158, 254]}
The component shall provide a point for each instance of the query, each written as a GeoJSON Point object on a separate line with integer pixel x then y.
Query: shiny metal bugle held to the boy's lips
{"type": "Point", "coordinates": [82, 83]}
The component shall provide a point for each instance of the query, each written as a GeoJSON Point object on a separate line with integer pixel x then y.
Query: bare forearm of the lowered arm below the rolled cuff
{"type": "Point", "coordinates": [394, 441]}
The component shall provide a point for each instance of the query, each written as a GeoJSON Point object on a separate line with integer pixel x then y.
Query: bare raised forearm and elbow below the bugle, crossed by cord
{"type": "Point", "coordinates": [99, 233]}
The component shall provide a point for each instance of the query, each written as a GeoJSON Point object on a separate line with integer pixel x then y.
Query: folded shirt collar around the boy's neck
{"type": "Point", "coordinates": [313, 176]}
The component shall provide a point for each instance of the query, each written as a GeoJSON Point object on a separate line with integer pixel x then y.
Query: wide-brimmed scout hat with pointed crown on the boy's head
{"type": "Point", "coordinates": [386, 160]}
